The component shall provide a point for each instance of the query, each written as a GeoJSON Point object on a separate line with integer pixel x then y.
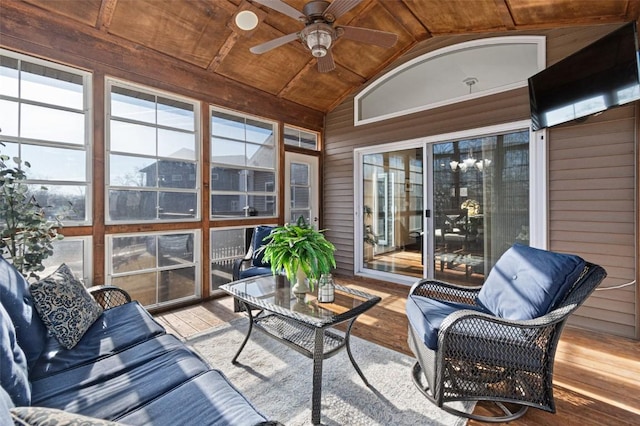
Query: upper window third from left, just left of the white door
{"type": "Point", "coordinates": [243, 166]}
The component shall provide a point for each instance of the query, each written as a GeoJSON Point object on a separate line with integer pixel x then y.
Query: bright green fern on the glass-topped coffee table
{"type": "Point", "coordinates": [295, 248]}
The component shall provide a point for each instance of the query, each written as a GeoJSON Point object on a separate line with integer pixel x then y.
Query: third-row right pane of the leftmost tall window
{"type": "Point", "coordinates": [42, 157]}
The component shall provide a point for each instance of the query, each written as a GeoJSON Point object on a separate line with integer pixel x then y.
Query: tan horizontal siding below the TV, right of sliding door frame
{"type": "Point", "coordinates": [592, 210]}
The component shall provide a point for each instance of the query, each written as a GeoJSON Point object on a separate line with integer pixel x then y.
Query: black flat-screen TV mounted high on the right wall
{"type": "Point", "coordinates": [603, 75]}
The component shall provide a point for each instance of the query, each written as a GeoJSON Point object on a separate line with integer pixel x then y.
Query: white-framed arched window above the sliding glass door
{"type": "Point", "coordinates": [452, 74]}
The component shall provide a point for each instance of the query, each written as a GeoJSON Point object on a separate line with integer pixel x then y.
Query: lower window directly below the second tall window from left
{"type": "Point", "coordinates": [156, 269]}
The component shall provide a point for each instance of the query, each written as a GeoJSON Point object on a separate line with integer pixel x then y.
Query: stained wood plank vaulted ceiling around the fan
{"type": "Point", "coordinates": [202, 34]}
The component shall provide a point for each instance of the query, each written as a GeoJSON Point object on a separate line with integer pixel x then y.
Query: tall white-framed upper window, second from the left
{"type": "Point", "coordinates": [153, 152]}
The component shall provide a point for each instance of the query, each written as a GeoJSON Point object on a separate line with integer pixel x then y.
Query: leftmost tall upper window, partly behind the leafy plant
{"type": "Point", "coordinates": [45, 114]}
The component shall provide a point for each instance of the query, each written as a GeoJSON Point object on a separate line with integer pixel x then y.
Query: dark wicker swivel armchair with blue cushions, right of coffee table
{"type": "Point", "coordinates": [497, 342]}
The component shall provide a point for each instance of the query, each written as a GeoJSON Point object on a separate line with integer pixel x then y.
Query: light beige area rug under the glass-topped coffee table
{"type": "Point", "coordinates": [277, 380]}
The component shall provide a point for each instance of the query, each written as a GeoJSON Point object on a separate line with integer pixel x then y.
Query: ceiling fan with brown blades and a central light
{"type": "Point", "coordinates": [319, 32]}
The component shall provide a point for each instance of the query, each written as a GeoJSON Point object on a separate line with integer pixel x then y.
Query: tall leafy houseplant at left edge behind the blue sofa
{"type": "Point", "coordinates": [26, 236]}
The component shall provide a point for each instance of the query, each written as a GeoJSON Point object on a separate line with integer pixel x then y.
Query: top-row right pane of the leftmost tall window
{"type": "Point", "coordinates": [51, 86]}
